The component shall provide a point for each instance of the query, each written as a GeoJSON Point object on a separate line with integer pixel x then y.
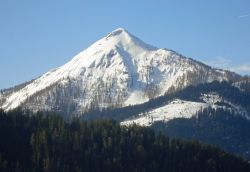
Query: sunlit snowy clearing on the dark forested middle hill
{"type": "Point", "coordinates": [184, 109]}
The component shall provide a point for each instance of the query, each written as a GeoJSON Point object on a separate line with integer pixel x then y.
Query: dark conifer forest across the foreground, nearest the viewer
{"type": "Point", "coordinates": [47, 142]}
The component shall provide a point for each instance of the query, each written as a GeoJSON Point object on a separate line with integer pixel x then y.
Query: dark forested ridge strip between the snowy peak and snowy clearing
{"type": "Point", "coordinates": [192, 93]}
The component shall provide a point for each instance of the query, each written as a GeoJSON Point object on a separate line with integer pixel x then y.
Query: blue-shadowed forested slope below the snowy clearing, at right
{"type": "Point", "coordinates": [222, 128]}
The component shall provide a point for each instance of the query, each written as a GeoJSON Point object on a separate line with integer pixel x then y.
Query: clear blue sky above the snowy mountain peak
{"type": "Point", "coordinates": [36, 36]}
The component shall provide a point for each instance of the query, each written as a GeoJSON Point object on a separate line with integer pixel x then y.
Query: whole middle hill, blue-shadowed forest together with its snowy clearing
{"type": "Point", "coordinates": [216, 113]}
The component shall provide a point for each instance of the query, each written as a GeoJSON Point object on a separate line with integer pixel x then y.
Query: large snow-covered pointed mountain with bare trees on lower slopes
{"type": "Point", "coordinates": [116, 71]}
